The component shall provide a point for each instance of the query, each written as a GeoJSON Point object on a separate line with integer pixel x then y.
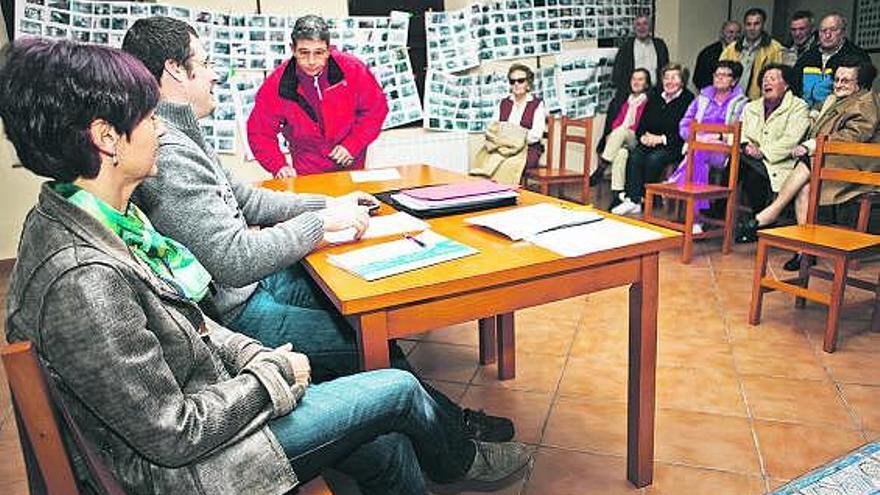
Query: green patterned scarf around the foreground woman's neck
{"type": "Point", "coordinates": [168, 259]}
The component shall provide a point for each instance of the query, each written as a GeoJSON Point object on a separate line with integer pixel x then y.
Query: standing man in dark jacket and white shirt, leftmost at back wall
{"type": "Point", "coordinates": [642, 51]}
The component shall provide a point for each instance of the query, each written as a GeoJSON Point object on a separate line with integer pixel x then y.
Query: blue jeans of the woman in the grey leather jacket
{"type": "Point", "coordinates": [380, 427]}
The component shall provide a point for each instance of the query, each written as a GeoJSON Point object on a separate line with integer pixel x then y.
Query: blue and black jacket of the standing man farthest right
{"type": "Point", "coordinates": [812, 81]}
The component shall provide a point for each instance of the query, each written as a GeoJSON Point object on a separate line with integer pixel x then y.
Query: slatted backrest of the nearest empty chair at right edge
{"type": "Point", "coordinates": [819, 172]}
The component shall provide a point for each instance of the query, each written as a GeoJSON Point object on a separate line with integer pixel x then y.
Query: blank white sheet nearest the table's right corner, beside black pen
{"type": "Point", "coordinates": [593, 237]}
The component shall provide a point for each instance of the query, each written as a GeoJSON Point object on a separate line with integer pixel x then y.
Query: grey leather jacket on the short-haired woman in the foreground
{"type": "Point", "coordinates": [152, 384]}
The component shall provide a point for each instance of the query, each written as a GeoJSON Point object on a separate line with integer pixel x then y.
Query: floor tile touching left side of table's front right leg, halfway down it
{"type": "Point", "coordinates": [594, 380]}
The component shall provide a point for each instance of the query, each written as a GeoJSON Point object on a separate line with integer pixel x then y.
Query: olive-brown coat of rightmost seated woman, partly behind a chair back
{"type": "Point", "coordinates": [852, 119]}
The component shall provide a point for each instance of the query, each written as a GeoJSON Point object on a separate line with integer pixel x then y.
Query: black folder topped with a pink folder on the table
{"type": "Point", "coordinates": [468, 194]}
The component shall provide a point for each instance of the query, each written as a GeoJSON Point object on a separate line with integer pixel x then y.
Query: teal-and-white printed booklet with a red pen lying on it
{"type": "Point", "coordinates": [409, 253]}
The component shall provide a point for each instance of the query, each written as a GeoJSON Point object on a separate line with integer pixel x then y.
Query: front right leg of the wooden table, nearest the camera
{"type": "Point", "coordinates": [642, 367]}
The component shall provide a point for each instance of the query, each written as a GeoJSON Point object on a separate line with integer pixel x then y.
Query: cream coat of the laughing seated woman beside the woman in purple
{"type": "Point", "coordinates": [777, 135]}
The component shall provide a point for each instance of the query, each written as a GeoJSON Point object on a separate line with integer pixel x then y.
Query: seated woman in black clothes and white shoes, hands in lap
{"type": "Point", "coordinates": [659, 143]}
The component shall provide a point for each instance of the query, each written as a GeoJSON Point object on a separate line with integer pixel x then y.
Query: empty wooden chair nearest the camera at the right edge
{"type": "Point", "coordinates": [839, 244]}
